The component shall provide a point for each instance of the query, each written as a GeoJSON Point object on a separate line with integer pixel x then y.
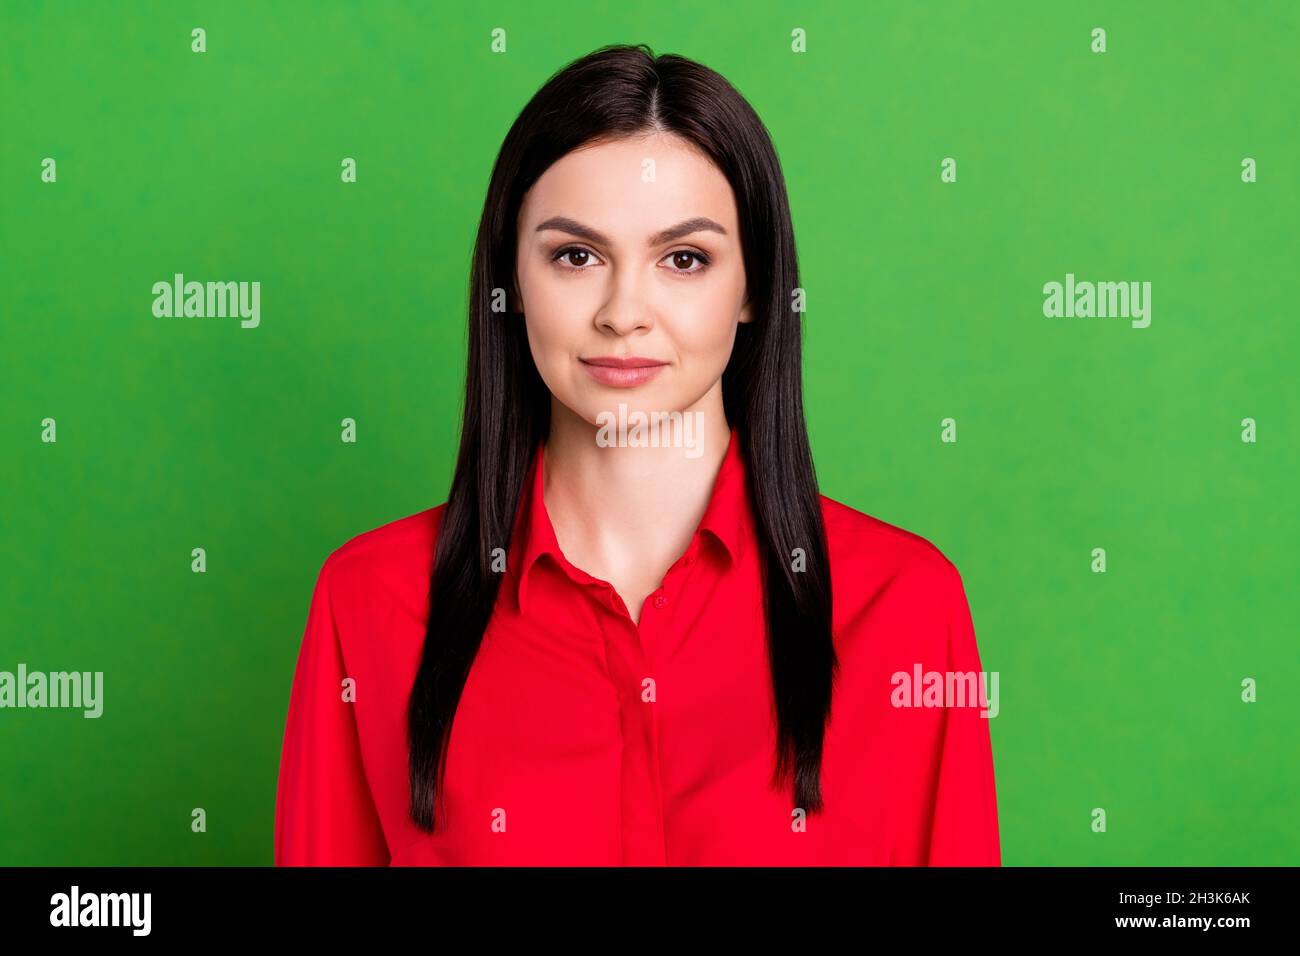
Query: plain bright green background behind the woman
{"type": "Point", "coordinates": [1119, 690]}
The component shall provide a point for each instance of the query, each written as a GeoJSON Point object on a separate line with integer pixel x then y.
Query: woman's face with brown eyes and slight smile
{"type": "Point", "coordinates": [631, 278]}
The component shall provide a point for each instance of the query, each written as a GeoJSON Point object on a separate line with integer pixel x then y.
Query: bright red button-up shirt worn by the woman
{"type": "Point", "coordinates": [557, 756]}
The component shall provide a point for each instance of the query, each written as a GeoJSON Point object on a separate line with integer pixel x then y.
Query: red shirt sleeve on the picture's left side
{"type": "Point", "coordinates": [324, 812]}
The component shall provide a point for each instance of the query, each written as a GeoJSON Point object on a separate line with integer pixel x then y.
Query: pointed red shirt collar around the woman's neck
{"type": "Point", "coordinates": [729, 518]}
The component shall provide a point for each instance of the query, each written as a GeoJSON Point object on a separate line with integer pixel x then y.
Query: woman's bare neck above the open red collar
{"type": "Point", "coordinates": [626, 514]}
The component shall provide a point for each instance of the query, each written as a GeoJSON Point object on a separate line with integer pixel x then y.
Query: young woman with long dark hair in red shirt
{"type": "Point", "coordinates": [636, 634]}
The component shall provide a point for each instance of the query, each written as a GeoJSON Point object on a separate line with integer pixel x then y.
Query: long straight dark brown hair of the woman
{"type": "Point", "coordinates": [619, 92]}
